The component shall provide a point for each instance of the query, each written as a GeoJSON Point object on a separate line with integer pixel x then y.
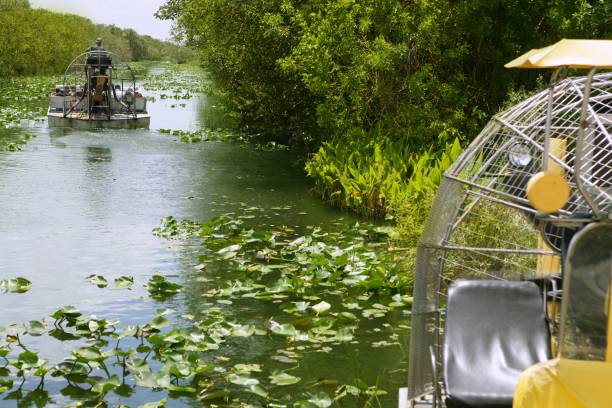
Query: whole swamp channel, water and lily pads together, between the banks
{"type": "Point", "coordinates": [184, 266]}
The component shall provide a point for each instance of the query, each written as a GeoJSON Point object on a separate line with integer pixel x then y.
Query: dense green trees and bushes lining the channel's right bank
{"type": "Point", "coordinates": [374, 87]}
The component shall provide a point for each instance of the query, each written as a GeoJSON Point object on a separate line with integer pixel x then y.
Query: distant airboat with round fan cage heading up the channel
{"type": "Point", "coordinates": [98, 91]}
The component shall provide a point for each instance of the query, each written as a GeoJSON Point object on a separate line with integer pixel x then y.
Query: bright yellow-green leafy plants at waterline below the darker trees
{"type": "Point", "coordinates": [367, 177]}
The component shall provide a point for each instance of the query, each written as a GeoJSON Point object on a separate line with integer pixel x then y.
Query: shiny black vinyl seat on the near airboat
{"type": "Point", "coordinates": [494, 331]}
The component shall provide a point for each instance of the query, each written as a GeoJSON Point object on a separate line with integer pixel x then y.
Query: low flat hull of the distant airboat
{"type": "Point", "coordinates": [82, 121]}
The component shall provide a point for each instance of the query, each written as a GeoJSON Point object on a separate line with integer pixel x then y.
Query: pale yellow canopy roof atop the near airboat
{"type": "Point", "coordinates": [570, 53]}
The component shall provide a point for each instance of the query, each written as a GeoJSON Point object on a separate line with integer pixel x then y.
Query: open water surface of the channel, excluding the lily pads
{"type": "Point", "coordinates": [76, 203]}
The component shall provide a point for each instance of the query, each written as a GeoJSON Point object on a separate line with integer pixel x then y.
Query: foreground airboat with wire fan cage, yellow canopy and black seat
{"type": "Point", "coordinates": [513, 279]}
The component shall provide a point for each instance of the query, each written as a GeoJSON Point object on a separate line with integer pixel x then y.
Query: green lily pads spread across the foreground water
{"type": "Point", "coordinates": [324, 285]}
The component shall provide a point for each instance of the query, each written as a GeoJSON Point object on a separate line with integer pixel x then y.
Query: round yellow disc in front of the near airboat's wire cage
{"type": "Point", "coordinates": [547, 191]}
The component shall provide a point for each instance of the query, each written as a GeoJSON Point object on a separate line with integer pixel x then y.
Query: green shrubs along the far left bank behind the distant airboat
{"type": "Point", "coordinates": [38, 41]}
